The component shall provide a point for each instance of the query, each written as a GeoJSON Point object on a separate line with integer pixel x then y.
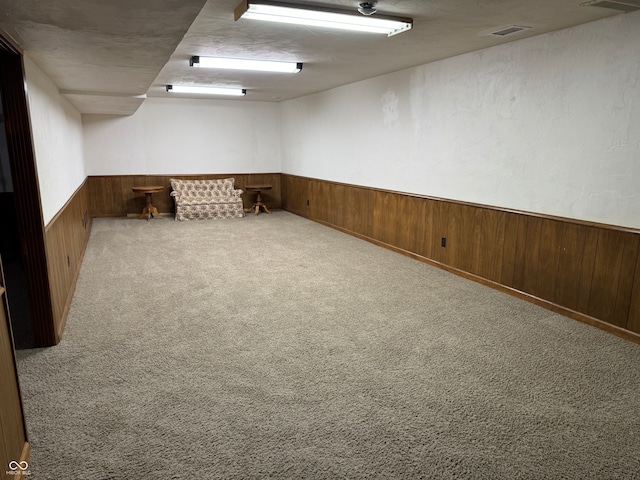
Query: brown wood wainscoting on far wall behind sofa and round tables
{"type": "Point", "coordinates": [111, 195]}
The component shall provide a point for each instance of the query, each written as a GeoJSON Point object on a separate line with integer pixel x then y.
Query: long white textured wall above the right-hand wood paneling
{"type": "Point", "coordinates": [549, 124]}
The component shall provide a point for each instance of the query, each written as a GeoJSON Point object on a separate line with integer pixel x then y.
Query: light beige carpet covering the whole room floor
{"type": "Point", "coordinates": [274, 347]}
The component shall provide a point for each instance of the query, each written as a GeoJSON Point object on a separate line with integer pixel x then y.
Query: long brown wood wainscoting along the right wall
{"type": "Point", "coordinates": [587, 271]}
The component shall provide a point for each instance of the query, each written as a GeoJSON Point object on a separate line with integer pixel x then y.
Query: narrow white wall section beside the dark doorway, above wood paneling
{"type": "Point", "coordinates": [57, 137]}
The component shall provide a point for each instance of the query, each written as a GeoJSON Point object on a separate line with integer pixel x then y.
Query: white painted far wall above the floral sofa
{"type": "Point", "coordinates": [185, 136]}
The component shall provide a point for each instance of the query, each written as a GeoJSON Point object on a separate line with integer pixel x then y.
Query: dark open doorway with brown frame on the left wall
{"type": "Point", "coordinates": [28, 283]}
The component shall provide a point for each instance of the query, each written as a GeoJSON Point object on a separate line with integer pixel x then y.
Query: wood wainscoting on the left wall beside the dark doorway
{"type": "Point", "coordinates": [66, 238]}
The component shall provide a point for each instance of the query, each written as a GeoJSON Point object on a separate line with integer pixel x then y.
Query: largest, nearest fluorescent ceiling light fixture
{"type": "Point", "coordinates": [321, 17]}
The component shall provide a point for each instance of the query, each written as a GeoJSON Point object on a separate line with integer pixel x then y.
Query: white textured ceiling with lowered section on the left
{"type": "Point", "coordinates": [105, 56]}
